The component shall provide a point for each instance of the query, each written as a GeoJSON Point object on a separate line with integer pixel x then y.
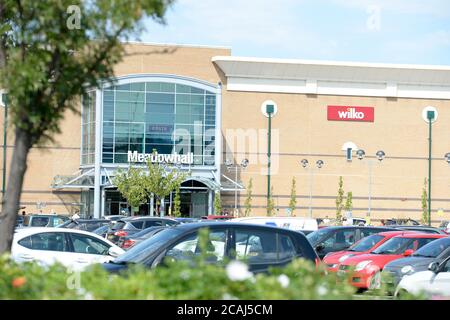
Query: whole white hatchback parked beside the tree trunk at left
{"type": "Point", "coordinates": [75, 249]}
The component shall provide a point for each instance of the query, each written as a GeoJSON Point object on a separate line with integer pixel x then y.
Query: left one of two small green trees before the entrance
{"type": "Point", "coordinates": [131, 184]}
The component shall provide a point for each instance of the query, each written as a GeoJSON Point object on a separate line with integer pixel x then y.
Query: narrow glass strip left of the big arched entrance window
{"type": "Point", "coordinates": [88, 129]}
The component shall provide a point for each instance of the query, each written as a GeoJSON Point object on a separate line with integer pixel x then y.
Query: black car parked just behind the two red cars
{"type": "Point", "coordinates": [338, 238]}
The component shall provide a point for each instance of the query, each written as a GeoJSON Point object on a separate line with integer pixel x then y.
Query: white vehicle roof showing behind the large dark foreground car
{"type": "Point", "coordinates": [292, 223]}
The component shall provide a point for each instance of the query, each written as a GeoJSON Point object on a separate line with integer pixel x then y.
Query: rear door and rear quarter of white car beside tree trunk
{"type": "Point", "coordinates": [44, 248]}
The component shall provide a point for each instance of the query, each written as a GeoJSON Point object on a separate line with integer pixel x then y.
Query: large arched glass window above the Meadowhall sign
{"type": "Point", "coordinates": [166, 117]}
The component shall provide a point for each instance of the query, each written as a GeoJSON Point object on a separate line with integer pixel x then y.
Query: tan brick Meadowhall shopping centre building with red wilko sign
{"type": "Point", "coordinates": [202, 109]}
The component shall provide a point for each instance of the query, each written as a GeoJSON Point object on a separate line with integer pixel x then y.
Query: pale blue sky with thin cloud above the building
{"type": "Point", "coordinates": [390, 31]}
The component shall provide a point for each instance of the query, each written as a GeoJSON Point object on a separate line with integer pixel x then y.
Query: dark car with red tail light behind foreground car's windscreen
{"type": "Point", "coordinates": [132, 225]}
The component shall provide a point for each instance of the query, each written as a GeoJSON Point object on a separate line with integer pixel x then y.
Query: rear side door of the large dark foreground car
{"type": "Point", "coordinates": [262, 249]}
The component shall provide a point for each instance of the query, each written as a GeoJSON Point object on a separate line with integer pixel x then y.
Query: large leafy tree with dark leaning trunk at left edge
{"type": "Point", "coordinates": [50, 53]}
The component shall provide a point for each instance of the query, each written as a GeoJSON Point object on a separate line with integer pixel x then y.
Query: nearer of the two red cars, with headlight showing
{"type": "Point", "coordinates": [367, 267]}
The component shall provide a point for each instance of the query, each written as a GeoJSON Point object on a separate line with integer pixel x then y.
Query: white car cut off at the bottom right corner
{"type": "Point", "coordinates": [433, 282]}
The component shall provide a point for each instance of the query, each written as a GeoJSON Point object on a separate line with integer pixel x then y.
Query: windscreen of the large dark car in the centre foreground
{"type": "Point", "coordinates": [138, 253]}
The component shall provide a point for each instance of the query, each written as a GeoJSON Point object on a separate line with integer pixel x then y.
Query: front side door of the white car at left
{"type": "Point", "coordinates": [87, 250]}
